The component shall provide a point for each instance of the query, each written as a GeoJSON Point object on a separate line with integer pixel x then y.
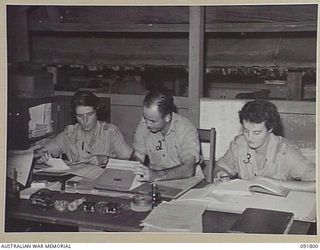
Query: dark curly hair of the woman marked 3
{"type": "Point", "coordinates": [259, 111]}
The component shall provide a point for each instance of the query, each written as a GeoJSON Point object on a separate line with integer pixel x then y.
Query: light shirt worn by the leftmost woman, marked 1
{"type": "Point", "coordinates": [106, 140]}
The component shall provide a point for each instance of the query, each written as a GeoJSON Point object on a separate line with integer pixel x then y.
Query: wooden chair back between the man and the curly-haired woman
{"type": "Point", "coordinates": [208, 136]}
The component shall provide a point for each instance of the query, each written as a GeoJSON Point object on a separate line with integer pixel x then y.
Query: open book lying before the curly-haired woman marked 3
{"type": "Point", "coordinates": [246, 188]}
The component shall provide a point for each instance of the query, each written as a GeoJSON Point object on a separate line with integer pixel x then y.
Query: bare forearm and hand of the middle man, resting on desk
{"type": "Point", "coordinates": [185, 170]}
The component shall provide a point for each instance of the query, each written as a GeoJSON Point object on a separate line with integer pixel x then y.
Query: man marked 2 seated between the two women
{"type": "Point", "coordinates": [169, 141]}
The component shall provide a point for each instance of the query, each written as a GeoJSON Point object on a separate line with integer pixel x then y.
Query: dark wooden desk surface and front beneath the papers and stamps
{"type": "Point", "coordinates": [126, 221]}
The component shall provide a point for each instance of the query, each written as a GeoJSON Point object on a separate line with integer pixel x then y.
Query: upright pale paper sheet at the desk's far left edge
{"type": "Point", "coordinates": [21, 161]}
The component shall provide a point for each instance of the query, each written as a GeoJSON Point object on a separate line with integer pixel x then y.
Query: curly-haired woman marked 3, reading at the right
{"type": "Point", "coordinates": [259, 152]}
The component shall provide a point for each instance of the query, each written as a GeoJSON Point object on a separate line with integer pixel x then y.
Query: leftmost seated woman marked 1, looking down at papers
{"type": "Point", "coordinates": [90, 140]}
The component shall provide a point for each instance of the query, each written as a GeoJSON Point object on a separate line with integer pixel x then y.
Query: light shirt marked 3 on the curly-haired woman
{"type": "Point", "coordinates": [283, 161]}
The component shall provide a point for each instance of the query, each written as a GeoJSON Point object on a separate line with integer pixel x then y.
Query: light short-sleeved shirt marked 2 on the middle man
{"type": "Point", "coordinates": [169, 150]}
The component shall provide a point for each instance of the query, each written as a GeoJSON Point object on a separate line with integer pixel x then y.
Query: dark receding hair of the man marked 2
{"type": "Point", "coordinates": [163, 99]}
